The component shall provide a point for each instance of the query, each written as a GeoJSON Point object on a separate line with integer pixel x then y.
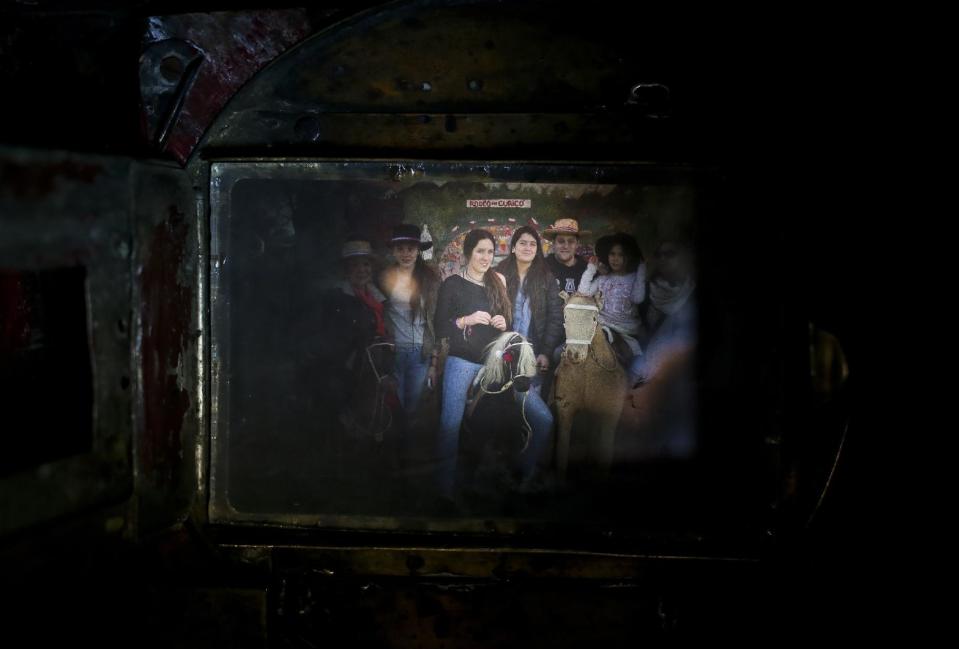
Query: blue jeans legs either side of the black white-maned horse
{"type": "Point", "coordinates": [458, 375]}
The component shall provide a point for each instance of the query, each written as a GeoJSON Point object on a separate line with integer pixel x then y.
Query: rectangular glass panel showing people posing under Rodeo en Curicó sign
{"type": "Point", "coordinates": [333, 285]}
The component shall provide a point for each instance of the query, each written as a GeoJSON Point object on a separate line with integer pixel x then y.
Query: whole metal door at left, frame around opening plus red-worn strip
{"type": "Point", "coordinates": [131, 226]}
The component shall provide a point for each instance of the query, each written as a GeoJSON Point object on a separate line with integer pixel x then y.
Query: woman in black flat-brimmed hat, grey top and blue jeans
{"type": "Point", "coordinates": [411, 285]}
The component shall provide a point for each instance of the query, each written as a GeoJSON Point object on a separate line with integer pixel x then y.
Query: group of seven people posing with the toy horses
{"type": "Point", "coordinates": [415, 310]}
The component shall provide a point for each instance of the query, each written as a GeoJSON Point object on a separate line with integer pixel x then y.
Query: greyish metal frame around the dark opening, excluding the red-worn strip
{"type": "Point", "coordinates": [62, 210]}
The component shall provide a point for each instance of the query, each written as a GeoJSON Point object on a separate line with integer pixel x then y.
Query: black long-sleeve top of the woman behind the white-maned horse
{"type": "Point", "coordinates": [459, 297]}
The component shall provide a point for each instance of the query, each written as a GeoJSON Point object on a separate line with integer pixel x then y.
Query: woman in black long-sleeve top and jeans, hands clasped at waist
{"type": "Point", "coordinates": [472, 309]}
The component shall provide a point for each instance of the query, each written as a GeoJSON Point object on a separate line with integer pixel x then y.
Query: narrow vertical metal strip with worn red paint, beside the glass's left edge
{"type": "Point", "coordinates": [166, 331]}
